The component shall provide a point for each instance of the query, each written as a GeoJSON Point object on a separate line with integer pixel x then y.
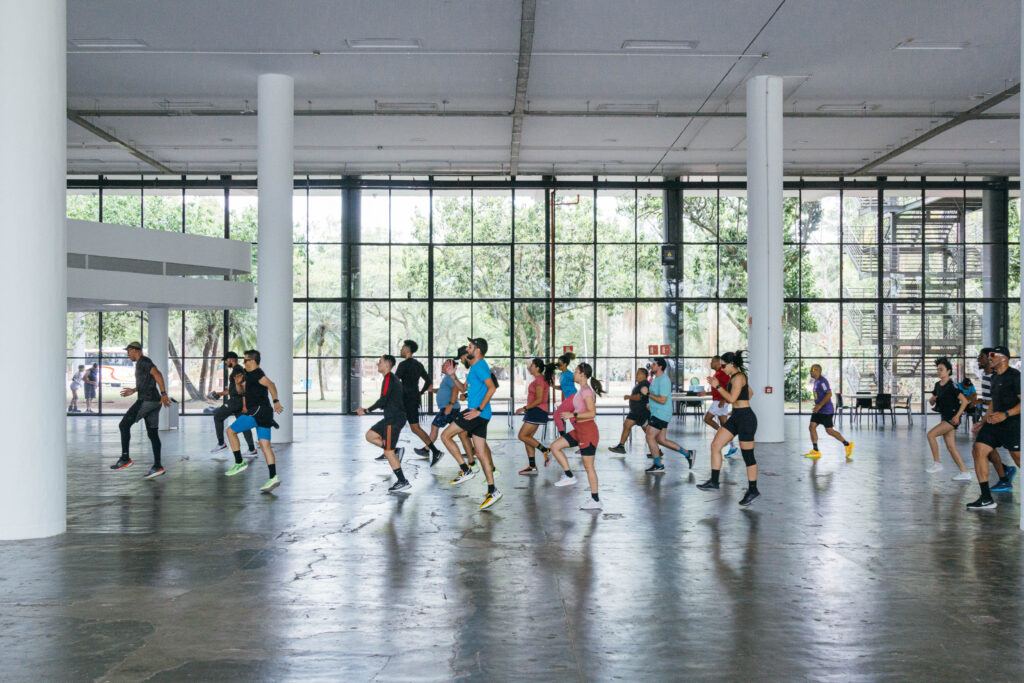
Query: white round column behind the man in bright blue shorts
{"type": "Point", "coordinates": [274, 286]}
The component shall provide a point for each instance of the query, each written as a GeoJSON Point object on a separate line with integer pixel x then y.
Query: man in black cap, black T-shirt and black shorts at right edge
{"type": "Point", "coordinates": [1003, 423]}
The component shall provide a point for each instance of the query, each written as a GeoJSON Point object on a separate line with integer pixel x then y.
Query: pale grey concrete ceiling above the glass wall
{"type": "Point", "coordinates": [186, 97]}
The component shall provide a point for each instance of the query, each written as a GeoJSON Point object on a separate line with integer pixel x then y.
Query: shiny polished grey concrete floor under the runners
{"type": "Point", "coordinates": [858, 571]}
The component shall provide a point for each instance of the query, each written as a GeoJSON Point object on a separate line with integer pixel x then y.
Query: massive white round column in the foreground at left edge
{"type": "Point", "coordinates": [33, 169]}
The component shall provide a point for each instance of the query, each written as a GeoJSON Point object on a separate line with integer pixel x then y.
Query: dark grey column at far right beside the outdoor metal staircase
{"type": "Point", "coordinates": [996, 262]}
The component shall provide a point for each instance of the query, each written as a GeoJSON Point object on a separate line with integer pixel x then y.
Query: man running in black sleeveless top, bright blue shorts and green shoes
{"type": "Point", "coordinates": [258, 414]}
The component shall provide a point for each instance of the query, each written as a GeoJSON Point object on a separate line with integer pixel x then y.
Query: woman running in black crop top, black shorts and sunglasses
{"type": "Point", "coordinates": [742, 423]}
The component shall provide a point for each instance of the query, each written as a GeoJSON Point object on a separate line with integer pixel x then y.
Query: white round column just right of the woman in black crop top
{"type": "Point", "coordinates": [764, 254]}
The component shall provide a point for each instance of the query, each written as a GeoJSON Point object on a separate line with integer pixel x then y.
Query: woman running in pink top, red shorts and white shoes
{"type": "Point", "coordinates": [585, 436]}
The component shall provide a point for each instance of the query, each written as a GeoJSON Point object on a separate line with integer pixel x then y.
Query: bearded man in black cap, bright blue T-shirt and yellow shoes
{"type": "Point", "coordinates": [481, 387]}
